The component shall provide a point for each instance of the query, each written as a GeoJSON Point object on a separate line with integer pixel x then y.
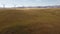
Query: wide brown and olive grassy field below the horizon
{"type": "Point", "coordinates": [30, 21]}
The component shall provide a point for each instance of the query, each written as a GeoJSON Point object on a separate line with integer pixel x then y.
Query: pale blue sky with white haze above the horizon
{"type": "Point", "coordinates": [11, 3]}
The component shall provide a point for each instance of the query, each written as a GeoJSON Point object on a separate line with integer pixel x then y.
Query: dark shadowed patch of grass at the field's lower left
{"type": "Point", "coordinates": [15, 30]}
